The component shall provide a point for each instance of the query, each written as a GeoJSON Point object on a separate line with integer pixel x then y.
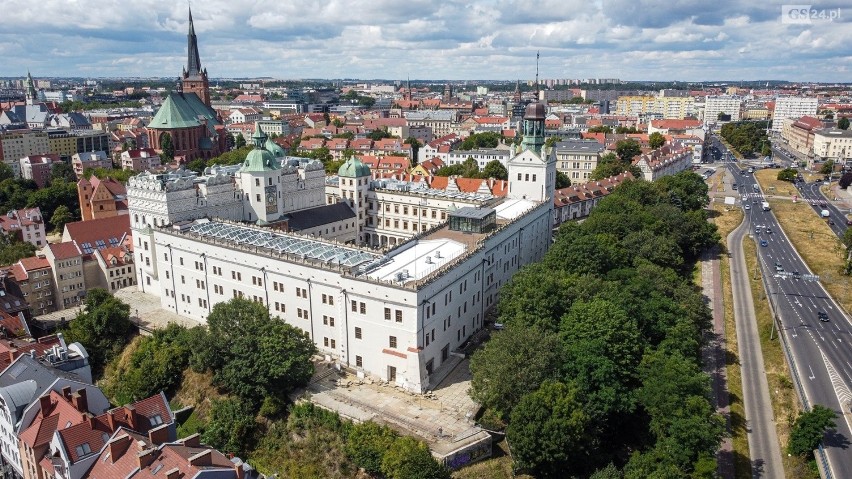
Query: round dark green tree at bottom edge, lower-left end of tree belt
{"type": "Point", "coordinates": [548, 432]}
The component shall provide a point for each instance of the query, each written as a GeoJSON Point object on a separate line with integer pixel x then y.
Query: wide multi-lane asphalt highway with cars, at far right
{"type": "Point", "coordinates": [821, 351]}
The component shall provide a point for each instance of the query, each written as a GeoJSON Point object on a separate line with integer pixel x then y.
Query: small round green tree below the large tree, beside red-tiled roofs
{"type": "Point", "coordinates": [231, 428]}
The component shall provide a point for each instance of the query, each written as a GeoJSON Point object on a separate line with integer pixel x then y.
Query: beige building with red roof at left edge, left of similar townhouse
{"type": "Point", "coordinates": [32, 280]}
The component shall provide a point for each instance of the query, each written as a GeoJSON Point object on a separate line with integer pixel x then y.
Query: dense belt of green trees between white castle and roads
{"type": "Point", "coordinates": [598, 370]}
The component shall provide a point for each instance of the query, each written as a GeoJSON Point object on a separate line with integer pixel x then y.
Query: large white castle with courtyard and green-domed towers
{"type": "Point", "coordinates": [389, 278]}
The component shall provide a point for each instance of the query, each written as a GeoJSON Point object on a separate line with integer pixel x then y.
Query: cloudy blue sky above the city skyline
{"type": "Point", "coordinates": [687, 40]}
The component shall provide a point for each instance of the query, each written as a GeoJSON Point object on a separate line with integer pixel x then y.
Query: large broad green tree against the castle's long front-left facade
{"type": "Point", "coordinates": [252, 354]}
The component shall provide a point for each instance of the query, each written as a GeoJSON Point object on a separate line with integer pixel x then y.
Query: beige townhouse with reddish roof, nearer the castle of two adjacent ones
{"type": "Point", "coordinates": [66, 261]}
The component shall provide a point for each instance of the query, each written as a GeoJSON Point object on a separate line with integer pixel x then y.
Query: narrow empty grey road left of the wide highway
{"type": "Point", "coordinates": [762, 437]}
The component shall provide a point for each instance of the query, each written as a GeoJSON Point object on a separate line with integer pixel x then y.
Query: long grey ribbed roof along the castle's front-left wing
{"type": "Point", "coordinates": [281, 243]}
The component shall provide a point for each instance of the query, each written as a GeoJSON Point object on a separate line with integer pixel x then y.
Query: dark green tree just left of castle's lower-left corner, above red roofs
{"type": "Point", "coordinates": [103, 328]}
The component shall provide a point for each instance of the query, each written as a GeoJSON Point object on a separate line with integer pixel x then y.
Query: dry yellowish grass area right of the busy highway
{"type": "Point", "coordinates": [813, 239]}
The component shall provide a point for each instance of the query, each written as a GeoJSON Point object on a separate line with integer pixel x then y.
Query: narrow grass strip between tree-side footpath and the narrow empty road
{"type": "Point", "coordinates": [727, 220]}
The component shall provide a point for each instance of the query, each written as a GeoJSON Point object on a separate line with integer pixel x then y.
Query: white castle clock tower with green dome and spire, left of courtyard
{"type": "Point", "coordinates": [260, 181]}
